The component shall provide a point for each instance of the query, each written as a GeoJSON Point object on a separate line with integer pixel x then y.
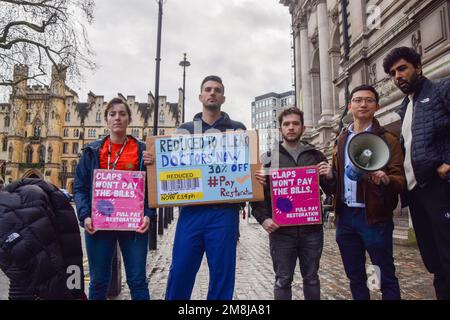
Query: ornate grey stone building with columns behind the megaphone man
{"type": "Point", "coordinates": [340, 44]}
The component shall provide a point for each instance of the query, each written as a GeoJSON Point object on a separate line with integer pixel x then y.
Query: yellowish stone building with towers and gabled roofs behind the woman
{"type": "Point", "coordinates": [43, 128]}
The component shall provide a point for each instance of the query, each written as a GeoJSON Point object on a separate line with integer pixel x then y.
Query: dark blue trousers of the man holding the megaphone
{"type": "Point", "coordinates": [354, 237]}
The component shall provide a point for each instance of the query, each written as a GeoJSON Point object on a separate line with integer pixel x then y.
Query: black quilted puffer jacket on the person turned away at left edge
{"type": "Point", "coordinates": [40, 244]}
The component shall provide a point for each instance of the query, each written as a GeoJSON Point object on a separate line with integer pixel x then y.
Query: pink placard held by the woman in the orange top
{"type": "Point", "coordinates": [118, 199]}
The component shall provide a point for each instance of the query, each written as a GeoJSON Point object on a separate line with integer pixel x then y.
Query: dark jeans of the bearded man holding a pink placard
{"type": "Point", "coordinates": [285, 249]}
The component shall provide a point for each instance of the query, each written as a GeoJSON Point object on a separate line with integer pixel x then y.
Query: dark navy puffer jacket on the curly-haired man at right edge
{"type": "Point", "coordinates": [430, 128]}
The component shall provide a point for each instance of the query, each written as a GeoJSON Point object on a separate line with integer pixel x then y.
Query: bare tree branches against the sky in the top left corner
{"type": "Point", "coordinates": [42, 34]}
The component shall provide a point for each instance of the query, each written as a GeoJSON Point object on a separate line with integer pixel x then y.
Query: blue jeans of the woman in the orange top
{"type": "Point", "coordinates": [100, 249]}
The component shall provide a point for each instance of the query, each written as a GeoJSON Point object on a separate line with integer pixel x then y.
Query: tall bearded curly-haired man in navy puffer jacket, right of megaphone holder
{"type": "Point", "coordinates": [425, 114]}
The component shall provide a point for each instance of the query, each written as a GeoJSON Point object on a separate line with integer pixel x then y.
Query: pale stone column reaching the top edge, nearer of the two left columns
{"type": "Point", "coordinates": [325, 69]}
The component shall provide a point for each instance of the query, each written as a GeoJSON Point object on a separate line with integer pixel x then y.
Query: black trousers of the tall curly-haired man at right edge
{"type": "Point", "coordinates": [430, 213]}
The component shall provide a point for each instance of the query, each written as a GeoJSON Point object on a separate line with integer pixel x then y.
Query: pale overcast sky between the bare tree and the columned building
{"type": "Point", "coordinates": [246, 42]}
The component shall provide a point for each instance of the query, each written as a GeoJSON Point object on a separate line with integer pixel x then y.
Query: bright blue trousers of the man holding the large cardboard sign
{"type": "Point", "coordinates": [210, 229]}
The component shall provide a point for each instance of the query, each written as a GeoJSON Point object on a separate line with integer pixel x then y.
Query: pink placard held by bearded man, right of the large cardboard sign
{"type": "Point", "coordinates": [295, 196]}
